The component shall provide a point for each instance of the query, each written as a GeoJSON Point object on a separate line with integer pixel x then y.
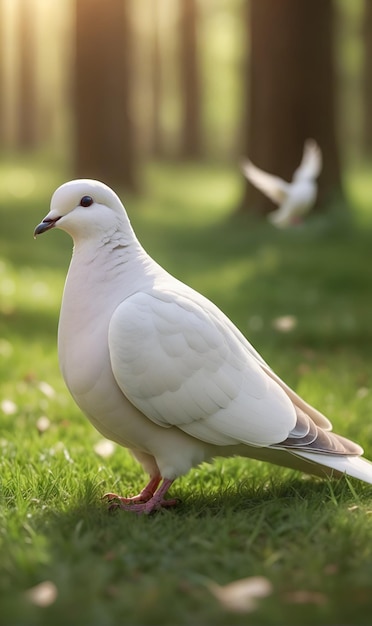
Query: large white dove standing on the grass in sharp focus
{"type": "Point", "coordinates": [161, 370]}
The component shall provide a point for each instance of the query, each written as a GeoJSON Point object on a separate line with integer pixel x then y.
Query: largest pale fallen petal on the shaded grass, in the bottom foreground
{"type": "Point", "coordinates": [241, 595]}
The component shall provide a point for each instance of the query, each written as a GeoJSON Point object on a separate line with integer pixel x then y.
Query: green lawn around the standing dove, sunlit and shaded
{"type": "Point", "coordinates": [237, 518]}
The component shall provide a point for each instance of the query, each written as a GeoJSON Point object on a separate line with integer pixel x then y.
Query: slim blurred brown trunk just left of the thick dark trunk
{"type": "Point", "coordinates": [191, 143]}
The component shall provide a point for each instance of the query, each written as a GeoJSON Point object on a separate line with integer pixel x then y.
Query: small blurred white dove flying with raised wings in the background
{"type": "Point", "coordinates": [296, 198]}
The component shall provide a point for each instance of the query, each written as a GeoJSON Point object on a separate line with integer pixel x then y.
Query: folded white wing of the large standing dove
{"type": "Point", "coordinates": [182, 365]}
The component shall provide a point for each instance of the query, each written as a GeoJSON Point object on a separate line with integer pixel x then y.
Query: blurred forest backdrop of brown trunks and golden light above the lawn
{"type": "Point", "coordinates": [105, 88]}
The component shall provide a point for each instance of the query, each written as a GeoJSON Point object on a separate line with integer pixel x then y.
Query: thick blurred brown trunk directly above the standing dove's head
{"type": "Point", "coordinates": [104, 146]}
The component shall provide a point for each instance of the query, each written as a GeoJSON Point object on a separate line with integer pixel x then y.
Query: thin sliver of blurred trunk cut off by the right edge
{"type": "Point", "coordinates": [367, 79]}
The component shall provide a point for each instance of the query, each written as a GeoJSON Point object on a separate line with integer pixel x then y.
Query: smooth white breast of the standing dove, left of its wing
{"type": "Point", "coordinates": [94, 288]}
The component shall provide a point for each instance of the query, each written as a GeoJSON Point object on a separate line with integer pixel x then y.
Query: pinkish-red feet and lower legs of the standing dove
{"type": "Point", "coordinates": [148, 500]}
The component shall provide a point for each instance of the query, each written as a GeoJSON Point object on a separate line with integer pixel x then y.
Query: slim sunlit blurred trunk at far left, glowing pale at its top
{"type": "Point", "coordinates": [26, 101]}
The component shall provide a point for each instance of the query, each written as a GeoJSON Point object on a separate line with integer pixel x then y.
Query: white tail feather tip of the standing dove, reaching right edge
{"type": "Point", "coordinates": [334, 465]}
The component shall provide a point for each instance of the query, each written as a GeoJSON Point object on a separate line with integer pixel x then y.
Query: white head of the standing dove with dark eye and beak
{"type": "Point", "coordinates": [85, 209]}
